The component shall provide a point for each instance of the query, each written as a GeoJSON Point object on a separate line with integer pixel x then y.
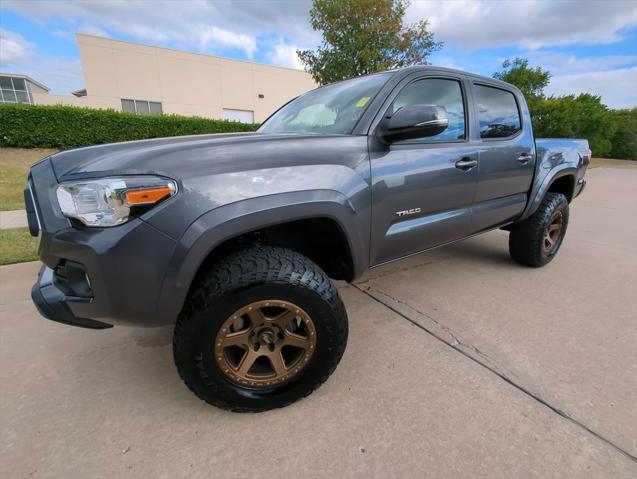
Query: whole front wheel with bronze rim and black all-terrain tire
{"type": "Point", "coordinates": [262, 329]}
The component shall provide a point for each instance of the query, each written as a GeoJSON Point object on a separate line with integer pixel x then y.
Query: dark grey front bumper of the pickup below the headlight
{"type": "Point", "coordinates": [96, 277]}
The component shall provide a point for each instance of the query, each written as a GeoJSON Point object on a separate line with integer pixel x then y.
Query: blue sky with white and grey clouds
{"type": "Point", "coordinates": [588, 45]}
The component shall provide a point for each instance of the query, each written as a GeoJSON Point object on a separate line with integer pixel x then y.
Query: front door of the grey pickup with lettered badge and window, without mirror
{"type": "Point", "coordinates": [423, 189]}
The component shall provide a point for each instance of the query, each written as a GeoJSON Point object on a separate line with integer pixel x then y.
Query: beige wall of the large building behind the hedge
{"type": "Point", "coordinates": [184, 83]}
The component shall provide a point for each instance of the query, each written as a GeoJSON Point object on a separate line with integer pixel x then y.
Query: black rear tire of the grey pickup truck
{"type": "Point", "coordinates": [527, 239]}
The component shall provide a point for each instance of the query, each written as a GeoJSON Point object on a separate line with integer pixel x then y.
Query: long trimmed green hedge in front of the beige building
{"type": "Point", "coordinates": [58, 126]}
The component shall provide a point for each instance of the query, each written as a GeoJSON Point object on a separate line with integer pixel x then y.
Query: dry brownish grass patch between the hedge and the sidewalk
{"type": "Point", "coordinates": [14, 167]}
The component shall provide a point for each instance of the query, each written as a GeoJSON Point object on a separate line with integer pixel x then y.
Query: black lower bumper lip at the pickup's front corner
{"type": "Point", "coordinates": [51, 303]}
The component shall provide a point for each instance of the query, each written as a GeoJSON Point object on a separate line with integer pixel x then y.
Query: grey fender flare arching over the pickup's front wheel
{"type": "Point", "coordinates": [234, 219]}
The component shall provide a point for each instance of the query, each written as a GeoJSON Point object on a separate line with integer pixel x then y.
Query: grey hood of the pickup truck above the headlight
{"type": "Point", "coordinates": [189, 156]}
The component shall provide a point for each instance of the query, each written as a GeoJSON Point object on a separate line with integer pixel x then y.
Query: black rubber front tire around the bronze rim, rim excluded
{"type": "Point", "coordinates": [247, 276]}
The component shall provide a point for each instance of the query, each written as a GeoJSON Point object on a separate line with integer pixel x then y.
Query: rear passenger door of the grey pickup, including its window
{"type": "Point", "coordinates": [507, 156]}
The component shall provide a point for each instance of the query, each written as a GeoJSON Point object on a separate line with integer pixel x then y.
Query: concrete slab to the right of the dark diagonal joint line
{"type": "Point", "coordinates": [566, 332]}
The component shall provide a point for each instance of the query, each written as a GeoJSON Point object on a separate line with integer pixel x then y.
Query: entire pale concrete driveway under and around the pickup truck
{"type": "Point", "coordinates": [459, 364]}
